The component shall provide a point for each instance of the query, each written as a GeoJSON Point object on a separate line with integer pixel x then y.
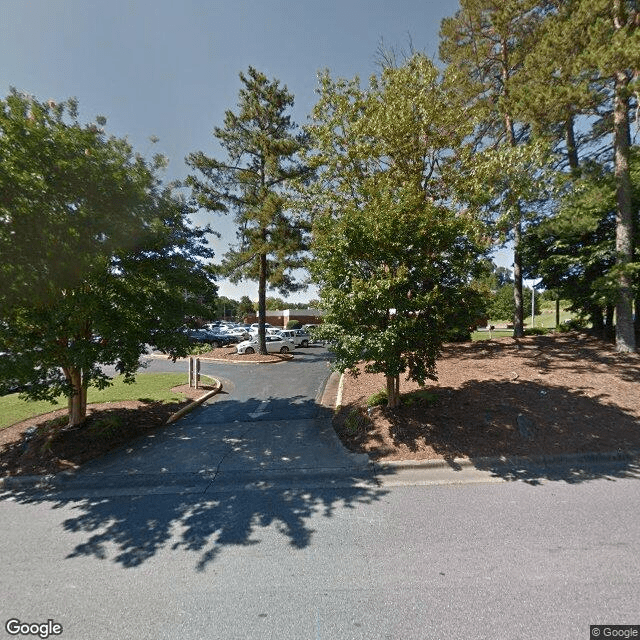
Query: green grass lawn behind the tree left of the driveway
{"type": "Point", "coordinates": [148, 386]}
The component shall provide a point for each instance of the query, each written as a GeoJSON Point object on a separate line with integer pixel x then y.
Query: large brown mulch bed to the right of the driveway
{"type": "Point", "coordinates": [542, 395]}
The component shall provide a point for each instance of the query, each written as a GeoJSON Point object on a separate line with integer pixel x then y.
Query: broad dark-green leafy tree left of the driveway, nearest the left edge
{"type": "Point", "coordinates": [111, 261]}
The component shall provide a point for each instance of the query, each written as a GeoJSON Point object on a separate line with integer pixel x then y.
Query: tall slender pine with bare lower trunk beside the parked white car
{"type": "Point", "coordinates": [262, 147]}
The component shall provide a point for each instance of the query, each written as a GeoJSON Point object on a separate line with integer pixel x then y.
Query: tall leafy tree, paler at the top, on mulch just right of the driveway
{"type": "Point", "coordinates": [391, 260]}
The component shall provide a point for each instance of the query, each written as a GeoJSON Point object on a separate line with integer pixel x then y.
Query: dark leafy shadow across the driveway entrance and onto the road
{"type": "Point", "coordinates": [226, 501]}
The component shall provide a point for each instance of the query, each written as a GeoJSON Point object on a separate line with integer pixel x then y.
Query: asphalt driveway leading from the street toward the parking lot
{"type": "Point", "coordinates": [267, 424]}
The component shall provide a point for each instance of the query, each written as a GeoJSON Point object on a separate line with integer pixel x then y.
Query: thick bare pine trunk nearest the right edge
{"type": "Point", "coordinates": [625, 335]}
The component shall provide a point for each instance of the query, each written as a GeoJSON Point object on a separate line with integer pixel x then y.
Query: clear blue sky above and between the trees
{"type": "Point", "coordinates": [169, 68]}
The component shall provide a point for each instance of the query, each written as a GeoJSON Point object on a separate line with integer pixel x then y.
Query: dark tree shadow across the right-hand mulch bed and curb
{"type": "Point", "coordinates": [510, 428]}
